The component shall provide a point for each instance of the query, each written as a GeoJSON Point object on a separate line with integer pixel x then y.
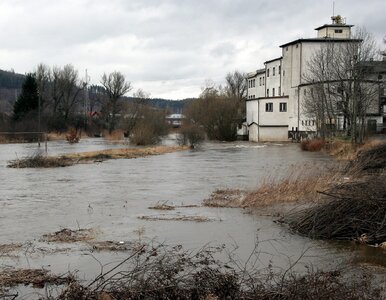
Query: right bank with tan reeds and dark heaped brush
{"type": "Point", "coordinates": [343, 203]}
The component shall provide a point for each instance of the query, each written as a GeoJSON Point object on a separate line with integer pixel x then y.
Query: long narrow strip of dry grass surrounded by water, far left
{"type": "Point", "coordinates": [42, 161]}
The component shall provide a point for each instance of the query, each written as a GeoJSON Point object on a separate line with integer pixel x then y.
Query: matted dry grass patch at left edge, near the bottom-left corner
{"type": "Point", "coordinates": [36, 277]}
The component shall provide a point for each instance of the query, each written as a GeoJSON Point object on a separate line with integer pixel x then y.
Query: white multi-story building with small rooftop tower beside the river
{"type": "Point", "coordinates": [276, 93]}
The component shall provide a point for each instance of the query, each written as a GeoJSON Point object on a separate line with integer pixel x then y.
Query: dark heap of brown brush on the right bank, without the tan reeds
{"type": "Point", "coordinates": [353, 210]}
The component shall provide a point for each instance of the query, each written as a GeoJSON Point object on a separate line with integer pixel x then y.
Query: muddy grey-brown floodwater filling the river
{"type": "Point", "coordinates": [110, 196]}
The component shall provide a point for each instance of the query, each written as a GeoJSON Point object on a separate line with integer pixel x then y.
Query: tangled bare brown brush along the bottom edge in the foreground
{"type": "Point", "coordinates": [159, 272]}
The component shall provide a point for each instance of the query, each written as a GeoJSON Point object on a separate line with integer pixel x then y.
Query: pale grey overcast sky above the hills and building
{"type": "Point", "coordinates": [167, 48]}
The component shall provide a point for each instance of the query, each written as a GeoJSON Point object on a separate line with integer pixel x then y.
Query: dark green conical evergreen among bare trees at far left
{"type": "Point", "coordinates": [28, 100]}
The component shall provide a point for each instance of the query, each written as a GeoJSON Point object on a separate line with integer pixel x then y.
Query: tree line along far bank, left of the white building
{"type": "Point", "coordinates": [57, 98]}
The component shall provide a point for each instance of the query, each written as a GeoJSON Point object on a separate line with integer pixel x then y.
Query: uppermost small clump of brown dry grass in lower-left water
{"type": "Point", "coordinates": [69, 236]}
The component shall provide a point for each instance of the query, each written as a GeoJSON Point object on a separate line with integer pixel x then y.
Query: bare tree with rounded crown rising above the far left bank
{"type": "Point", "coordinates": [116, 86]}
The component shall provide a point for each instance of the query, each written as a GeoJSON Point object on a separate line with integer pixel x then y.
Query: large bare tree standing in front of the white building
{"type": "Point", "coordinates": [340, 83]}
